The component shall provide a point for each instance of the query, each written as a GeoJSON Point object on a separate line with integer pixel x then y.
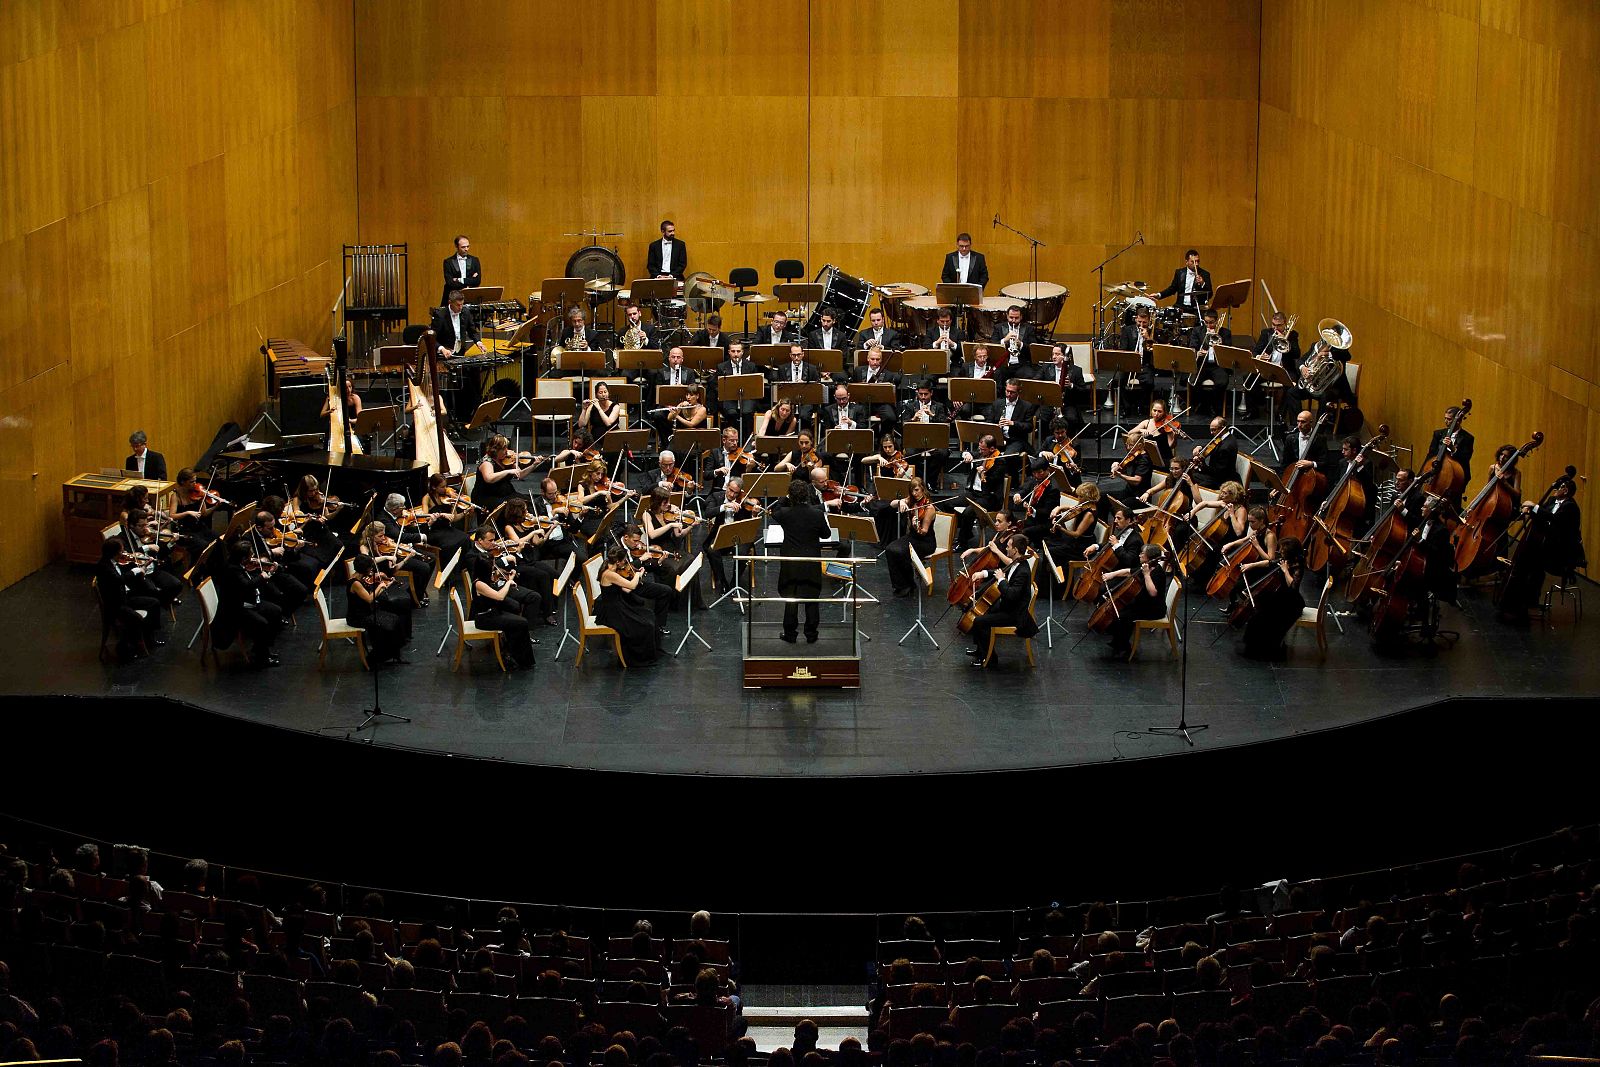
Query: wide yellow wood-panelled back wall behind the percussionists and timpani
{"type": "Point", "coordinates": [865, 134]}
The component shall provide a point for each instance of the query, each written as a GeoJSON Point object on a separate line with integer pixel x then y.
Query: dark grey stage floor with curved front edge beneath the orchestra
{"type": "Point", "coordinates": [919, 709]}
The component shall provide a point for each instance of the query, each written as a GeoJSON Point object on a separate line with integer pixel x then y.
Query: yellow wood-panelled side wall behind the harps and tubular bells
{"type": "Point", "coordinates": [174, 180]}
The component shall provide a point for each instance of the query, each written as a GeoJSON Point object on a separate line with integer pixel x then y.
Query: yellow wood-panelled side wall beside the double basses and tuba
{"type": "Point", "coordinates": [1430, 177]}
